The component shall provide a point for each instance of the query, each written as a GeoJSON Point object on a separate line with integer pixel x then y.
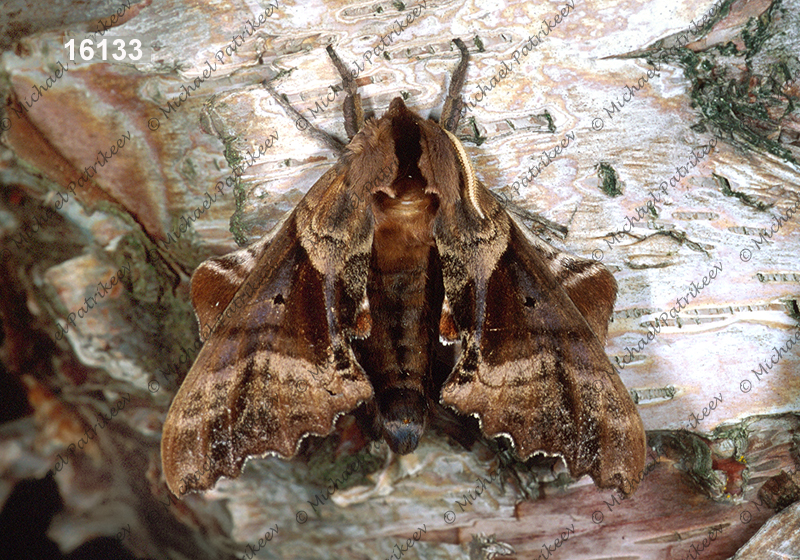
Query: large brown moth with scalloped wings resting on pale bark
{"type": "Point", "coordinates": [395, 251]}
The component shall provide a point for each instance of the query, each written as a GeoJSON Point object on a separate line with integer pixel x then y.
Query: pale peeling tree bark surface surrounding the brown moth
{"type": "Point", "coordinates": [690, 105]}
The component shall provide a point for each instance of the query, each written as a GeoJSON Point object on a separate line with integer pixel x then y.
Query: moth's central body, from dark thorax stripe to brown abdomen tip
{"type": "Point", "coordinates": [404, 289]}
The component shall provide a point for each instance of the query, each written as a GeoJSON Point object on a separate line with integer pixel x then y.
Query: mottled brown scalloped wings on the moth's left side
{"type": "Point", "coordinates": [284, 328]}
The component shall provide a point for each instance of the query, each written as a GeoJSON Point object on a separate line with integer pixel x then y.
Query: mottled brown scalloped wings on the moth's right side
{"type": "Point", "coordinates": [532, 367]}
